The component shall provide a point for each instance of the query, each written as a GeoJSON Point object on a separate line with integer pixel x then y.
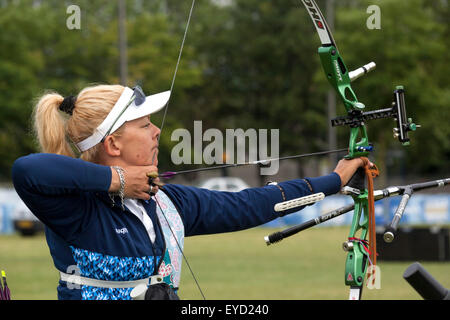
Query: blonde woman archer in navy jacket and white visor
{"type": "Point", "coordinates": [109, 228]}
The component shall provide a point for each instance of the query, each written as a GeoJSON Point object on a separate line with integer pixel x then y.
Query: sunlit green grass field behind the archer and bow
{"type": "Point", "coordinates": [237, 265]}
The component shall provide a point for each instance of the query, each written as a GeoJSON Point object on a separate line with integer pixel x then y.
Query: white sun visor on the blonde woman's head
{"type": "Point", "coordinates": [152, 104]}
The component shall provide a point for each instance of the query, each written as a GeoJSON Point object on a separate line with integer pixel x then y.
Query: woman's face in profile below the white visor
{"type": "Point", "coordinates": [139, 142]}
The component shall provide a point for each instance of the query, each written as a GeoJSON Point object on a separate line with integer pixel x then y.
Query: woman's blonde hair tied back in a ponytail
{"type": "Point", "coordinates": [55, 129]}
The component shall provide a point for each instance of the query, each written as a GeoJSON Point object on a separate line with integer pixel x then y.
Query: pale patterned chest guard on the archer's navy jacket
{"type": "Point", "coordinates": [170, 268]}
